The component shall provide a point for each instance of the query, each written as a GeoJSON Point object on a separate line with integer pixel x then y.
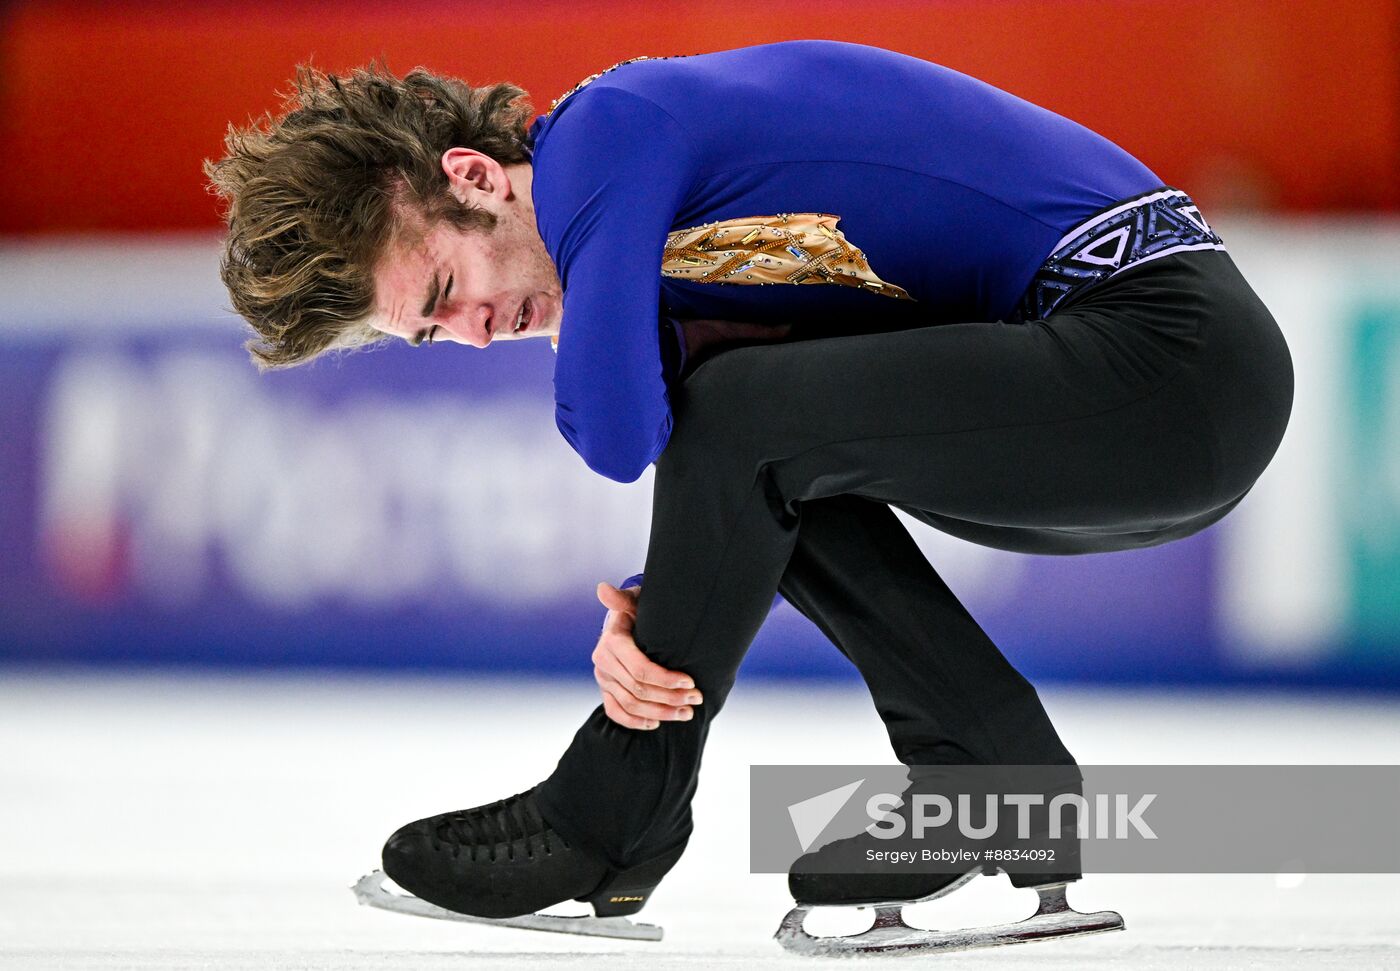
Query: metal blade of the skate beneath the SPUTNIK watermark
{"type": "Point", "coordinates": [1055, 919]}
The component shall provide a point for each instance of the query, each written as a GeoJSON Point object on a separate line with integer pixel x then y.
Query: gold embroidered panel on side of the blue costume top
{"type": "Point", "coordinates": [789, 248]}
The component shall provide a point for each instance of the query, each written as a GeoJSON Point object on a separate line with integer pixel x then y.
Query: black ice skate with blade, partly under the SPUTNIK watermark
{"type": "Point", "coordinates": [835, 877]}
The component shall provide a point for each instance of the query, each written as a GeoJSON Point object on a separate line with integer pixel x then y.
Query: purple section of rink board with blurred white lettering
{"type": "Point", "coordinates": [412, 509]}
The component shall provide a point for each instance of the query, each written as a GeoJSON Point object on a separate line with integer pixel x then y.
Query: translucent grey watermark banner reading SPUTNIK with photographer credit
{"type": "Point", "coordinates": [1037, 819]}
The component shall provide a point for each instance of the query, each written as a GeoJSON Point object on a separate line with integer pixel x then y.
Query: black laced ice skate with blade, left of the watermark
{"type": "Point", "coordinates": [499, 864]}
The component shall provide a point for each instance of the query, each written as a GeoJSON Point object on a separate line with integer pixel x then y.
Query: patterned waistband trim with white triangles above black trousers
{"type": "Point", "coordinates": [1150, 227]}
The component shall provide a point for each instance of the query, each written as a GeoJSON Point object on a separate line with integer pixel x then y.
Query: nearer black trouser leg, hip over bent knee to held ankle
{"type": "Point", "coordinates": [1136, 413]}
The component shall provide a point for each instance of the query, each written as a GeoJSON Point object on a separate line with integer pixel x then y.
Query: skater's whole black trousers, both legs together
{"type": "Point", "coordinates": [1139, 415]}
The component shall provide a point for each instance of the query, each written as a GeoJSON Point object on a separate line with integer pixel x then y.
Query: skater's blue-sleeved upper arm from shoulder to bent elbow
{"type": "Point", "coordinates": [611, 174]}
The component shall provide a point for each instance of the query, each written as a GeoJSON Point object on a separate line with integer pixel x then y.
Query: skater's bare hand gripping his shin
{"type": "Point", "coordinates": [638, 692]}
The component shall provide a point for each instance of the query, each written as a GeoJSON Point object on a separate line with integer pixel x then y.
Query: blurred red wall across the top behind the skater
{"type": "Point", "coordinates": [107, 111]}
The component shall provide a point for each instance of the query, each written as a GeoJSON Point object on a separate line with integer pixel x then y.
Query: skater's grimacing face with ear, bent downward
{"type": "Point", "coordinates": [470, 286]}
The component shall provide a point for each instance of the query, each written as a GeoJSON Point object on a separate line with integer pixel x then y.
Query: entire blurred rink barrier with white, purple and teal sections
{"type": "Point", "coordinates": [418, 509]}
